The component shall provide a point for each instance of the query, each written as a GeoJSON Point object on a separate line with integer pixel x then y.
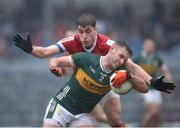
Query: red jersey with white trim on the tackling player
{"type": "Point", "coordinates": [73, 45]}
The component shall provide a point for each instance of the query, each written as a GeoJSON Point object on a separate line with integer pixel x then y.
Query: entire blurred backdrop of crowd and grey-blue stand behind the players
{"type": "Point", "coordinates": [26, 84]}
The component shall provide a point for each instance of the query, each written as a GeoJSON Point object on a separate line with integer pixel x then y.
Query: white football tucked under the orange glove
{"type": "Point", "coordinates": [122, 89]}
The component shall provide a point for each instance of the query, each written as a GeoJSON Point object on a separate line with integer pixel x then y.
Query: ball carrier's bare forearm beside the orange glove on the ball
{"type": "Point", "coordinates": [139, 84]}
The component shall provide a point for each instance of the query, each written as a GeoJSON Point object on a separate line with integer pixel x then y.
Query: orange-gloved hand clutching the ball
{"type": "Point", "coordinates": [120, 78]}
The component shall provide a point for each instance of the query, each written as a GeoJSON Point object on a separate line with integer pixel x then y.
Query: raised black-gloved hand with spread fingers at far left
{"type": "Point", "coordinates": [24, 44]}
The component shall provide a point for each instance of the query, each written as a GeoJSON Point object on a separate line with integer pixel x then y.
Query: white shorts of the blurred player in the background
{"type": "Point", "coordinates": [152, 96]}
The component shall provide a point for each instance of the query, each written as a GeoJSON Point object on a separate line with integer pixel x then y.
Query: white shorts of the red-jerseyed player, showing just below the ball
{"type": "Point", "coordinates": [108, 96]}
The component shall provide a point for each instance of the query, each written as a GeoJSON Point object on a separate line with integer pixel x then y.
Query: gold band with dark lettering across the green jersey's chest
{"type": "Point", "coordinates": [89, 84]}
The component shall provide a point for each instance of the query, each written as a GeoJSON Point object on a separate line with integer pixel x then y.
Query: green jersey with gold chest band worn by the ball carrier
{"type": "Point", "coordinates": [87, 85]}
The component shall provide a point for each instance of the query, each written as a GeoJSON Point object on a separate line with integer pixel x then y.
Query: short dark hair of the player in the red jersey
{"type": "Point", "coordinates": [86, 19]}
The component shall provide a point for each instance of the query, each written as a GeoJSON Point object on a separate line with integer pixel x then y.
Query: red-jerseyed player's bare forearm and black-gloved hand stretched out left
{"type": "Point", "coordinates": [40, 52]}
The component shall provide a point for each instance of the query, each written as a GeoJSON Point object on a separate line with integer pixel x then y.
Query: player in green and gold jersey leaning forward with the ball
{"type": "Point", "coordinates": [88, 83]}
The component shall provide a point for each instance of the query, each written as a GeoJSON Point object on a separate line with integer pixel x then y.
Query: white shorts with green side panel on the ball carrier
{"type": "Point", "coordinates": [59, 116]}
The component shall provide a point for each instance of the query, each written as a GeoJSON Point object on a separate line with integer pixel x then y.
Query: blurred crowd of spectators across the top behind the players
{"type": "Point", "coordinates": [47, 23]}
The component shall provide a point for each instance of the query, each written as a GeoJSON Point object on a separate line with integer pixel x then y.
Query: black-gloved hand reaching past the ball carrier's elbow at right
{"type": "Point", "coordinates": [161, 85]}
